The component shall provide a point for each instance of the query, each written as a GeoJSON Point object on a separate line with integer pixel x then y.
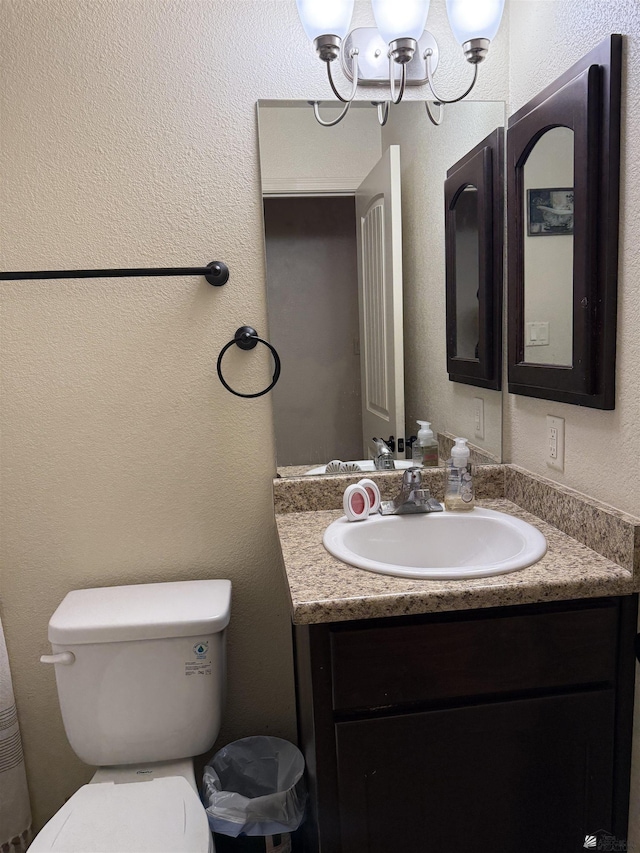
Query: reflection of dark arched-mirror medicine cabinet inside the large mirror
{"type": "Point", "coordinates": [474, 226]}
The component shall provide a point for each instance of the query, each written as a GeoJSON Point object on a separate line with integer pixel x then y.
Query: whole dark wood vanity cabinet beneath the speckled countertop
{"type": "Point", "coordinates": [507, 729]}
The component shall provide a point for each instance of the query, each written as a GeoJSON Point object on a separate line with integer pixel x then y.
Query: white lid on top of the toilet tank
{"type": "Point", "coordinates": [141, 612]}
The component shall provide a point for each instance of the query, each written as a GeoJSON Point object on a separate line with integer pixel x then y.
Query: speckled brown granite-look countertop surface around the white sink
{"type": "Point", "coordinates": [323, 589]}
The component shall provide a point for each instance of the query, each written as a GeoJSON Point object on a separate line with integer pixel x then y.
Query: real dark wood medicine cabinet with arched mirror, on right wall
{"type": "Point", "coordinates": [563, 166]}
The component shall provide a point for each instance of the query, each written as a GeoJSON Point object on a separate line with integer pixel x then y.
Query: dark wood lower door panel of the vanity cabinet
{"type": "Point", "coordinates": [528, 775]}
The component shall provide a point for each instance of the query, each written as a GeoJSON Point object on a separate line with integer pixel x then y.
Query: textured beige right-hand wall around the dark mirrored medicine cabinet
{"type": "Point", "coordinates": [545, 38]}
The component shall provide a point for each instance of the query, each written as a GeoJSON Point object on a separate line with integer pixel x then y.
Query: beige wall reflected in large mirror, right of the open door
{"type": "Point", "coordinates": [427, 153]}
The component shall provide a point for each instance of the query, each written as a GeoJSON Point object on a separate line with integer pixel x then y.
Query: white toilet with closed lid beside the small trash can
{"type": "Point", "coordinates": [140, 672]}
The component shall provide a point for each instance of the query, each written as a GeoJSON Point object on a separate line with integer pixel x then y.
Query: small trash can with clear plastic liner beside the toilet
{"type": "Point", "coordinates": [254, 794]}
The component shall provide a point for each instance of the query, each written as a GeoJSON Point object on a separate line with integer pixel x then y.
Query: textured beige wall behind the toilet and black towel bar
{"type": "Point", "coordinates": [129, 137]}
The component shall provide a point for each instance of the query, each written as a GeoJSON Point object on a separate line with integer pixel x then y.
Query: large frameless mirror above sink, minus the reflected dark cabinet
{"type": "Point", "coordinates": [355, 256]}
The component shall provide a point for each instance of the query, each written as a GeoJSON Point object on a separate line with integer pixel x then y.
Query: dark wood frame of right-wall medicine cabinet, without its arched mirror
{"type": "Point", "coordinates": [585, 99]}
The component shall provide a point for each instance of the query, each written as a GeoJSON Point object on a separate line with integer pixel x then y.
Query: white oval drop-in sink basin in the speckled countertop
{"type": "Point", "coordinates": [440, 545]}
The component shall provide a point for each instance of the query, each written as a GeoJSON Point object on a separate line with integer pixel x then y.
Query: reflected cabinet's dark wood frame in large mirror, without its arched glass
{"type": "Point", "coordinates": [482, 167]}
